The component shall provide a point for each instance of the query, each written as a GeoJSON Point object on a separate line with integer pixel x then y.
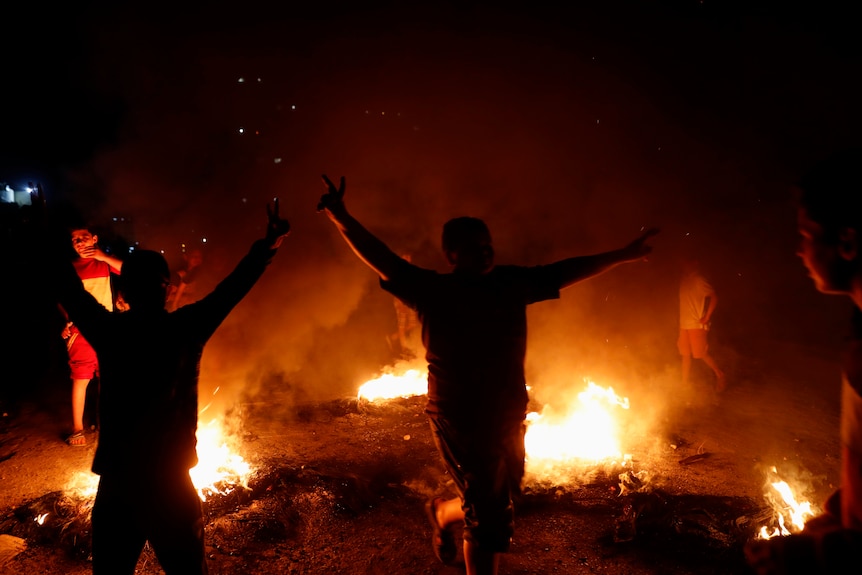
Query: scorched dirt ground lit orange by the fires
{"type": "Point", "coordinates": [339, 486]}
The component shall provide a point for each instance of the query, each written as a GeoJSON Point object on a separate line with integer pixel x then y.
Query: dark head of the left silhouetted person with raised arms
{"type": "Point", "coordinates": [144, 280]}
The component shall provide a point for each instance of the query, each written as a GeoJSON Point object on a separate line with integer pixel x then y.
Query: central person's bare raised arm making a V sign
{"type": "Point", "coordinates": [364, 244]}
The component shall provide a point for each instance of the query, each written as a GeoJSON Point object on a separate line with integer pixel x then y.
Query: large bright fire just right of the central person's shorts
{"type": "Point", "coordinates": [586, 431]}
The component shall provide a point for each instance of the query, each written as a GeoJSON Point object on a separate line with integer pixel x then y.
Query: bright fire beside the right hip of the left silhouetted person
{"type": "Point", "coordinates": [220, 469]}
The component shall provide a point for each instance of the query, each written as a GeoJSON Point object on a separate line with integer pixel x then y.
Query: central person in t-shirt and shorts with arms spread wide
{"type": "Point", "coordinates": [474, 330]}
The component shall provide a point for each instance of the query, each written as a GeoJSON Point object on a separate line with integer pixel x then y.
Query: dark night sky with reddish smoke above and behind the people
{"type": "Point", "coordinates": [567, 128]}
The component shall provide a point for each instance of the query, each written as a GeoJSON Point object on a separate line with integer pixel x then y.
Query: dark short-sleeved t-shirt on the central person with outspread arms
{"type": "Point", "coordinates": [474, 329]}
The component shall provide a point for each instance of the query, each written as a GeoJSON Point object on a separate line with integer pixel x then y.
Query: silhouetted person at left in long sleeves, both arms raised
{"type": "Point", "coordinates": [149, 361]}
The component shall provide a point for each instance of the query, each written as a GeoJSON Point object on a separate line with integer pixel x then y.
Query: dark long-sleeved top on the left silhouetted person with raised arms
{"type": "Point", "coordinates": [150, 364]}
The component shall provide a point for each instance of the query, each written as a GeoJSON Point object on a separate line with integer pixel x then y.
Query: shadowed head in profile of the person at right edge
{"type": "Point", "coordinates": [830, 222]}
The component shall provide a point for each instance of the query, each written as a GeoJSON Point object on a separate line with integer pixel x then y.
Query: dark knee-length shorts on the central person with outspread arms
{"type": "Point", "coordinates": [486, 461]}
